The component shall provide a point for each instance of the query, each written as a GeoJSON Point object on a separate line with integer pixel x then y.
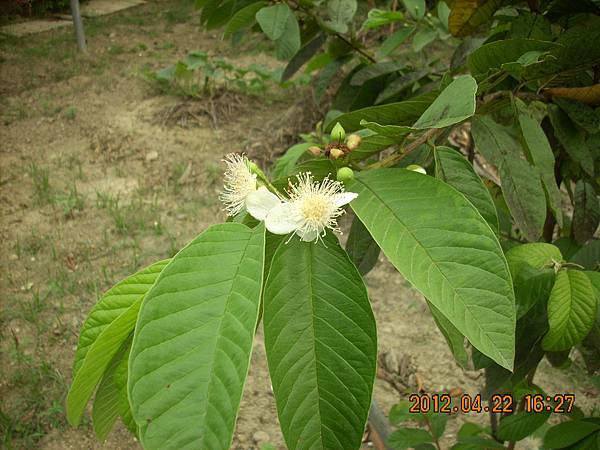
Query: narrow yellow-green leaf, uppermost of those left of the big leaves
{"type": "Point", "coordinates": [111, 305]}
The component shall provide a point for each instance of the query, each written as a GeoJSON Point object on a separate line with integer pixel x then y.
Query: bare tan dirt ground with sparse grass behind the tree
{"type": "Point", "coordinates": [96, 183]}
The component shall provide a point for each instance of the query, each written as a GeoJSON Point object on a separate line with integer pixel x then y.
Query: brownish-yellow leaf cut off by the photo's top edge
{"type": "Point", "coordinates": [466, 15]}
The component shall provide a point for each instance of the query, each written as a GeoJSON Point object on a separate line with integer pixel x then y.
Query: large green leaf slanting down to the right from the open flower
{"type": "Point", "coordinates": [438, 240]}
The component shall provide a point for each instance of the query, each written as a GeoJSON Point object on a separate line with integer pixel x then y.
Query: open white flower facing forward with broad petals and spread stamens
{"type": "Point", "coordinates": [312, 208]}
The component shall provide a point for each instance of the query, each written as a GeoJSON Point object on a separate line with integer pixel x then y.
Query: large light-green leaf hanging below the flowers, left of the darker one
{"type": "Point", "coordinates": [193, 340]}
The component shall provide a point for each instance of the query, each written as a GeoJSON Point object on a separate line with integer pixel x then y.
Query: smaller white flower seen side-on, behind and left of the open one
{"type": "Point", "coordinates": [239, 183]}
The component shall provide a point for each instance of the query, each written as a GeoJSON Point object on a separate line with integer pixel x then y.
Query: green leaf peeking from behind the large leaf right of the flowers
{"type": "Point", "coordinates": [452, 168]}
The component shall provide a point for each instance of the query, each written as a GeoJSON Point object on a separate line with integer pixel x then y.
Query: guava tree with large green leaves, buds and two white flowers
{"type": "Point", "coordinates": [465, 138]}
